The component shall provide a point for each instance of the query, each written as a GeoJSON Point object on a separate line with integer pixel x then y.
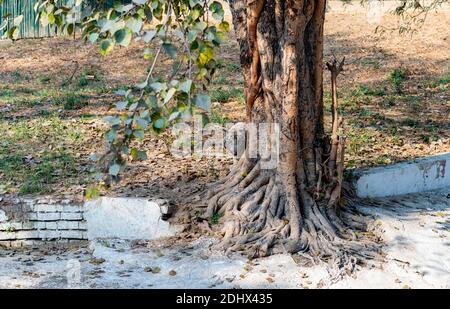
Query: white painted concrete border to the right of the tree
{"type": "Point", "coordinates": [420, 175]}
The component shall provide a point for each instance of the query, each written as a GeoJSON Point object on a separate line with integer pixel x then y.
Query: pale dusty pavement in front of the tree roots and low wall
{"type": "Point", "coordinates": [415, 229]}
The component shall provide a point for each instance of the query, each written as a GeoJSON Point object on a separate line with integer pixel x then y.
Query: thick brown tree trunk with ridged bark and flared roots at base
{"type": "Point", "coordinates": [295, 206]}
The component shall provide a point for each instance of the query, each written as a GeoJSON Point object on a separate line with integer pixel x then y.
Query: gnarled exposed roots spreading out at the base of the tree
{"type": "Point", "coordinates": [256, 219]}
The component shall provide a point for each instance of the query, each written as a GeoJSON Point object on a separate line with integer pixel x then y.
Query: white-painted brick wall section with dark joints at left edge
{"type": "Point", "coordinates": [25, 222]}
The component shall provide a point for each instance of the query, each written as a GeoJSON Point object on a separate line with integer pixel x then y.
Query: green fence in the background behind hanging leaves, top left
{"type": "Point", "coordinates": [29, 27]}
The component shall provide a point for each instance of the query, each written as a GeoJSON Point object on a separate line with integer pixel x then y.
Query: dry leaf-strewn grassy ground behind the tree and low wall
{"type": "Point", "coordinates": [394, 96]}
